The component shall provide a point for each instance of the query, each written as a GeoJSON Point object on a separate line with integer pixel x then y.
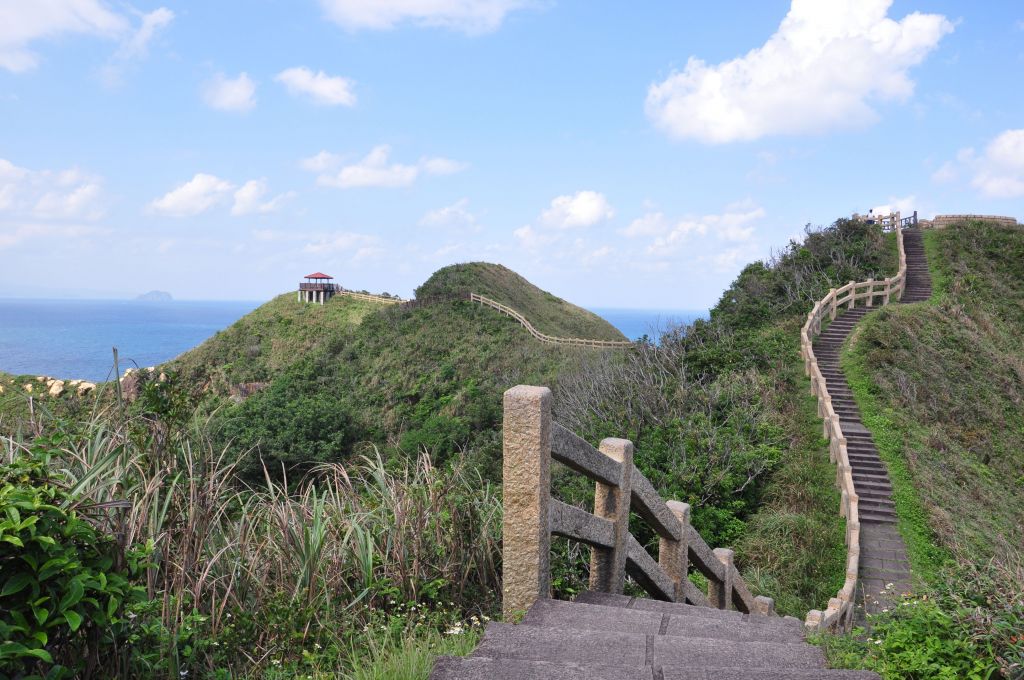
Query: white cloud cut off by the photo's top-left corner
{"type": "Point", "coordinates": [25, 22]}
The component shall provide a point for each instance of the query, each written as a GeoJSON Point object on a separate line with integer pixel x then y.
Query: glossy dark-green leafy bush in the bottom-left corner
{"type": "Point", "coordinates": [64, 584]}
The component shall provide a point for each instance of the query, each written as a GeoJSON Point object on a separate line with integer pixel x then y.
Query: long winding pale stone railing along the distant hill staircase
{"type": "Point", "coordinates": [839, 614]}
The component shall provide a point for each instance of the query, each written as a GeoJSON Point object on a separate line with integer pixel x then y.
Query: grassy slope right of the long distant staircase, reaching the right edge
{"type": "Point", "coordinates": [942, 387]}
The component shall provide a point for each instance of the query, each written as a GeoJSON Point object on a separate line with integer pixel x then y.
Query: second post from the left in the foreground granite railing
{"type": "Point", "coordinates": [608, 566]}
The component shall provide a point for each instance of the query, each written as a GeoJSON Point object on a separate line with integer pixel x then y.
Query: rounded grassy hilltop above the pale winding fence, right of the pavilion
{"type": "Point", "coordinates": [548, 314]}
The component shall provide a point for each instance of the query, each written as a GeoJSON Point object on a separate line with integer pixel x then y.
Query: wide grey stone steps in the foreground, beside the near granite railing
{"type": "Point", "coordinates": [602, 636]}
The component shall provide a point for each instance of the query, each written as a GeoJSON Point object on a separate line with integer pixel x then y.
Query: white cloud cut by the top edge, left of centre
{"type": "Point", "coordinates": [473, 17]}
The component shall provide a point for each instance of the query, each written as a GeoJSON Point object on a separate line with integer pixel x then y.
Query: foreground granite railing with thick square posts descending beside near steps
{"type": "Point", "coordinates": [532, 441]}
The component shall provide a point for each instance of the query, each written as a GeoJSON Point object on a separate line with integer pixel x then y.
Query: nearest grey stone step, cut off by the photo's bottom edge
{"type": "Point", "coordinates": [482, 668]}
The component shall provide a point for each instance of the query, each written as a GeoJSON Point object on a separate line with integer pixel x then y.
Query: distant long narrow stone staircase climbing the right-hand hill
{"type": "Point", "coordinates": [885, 571]}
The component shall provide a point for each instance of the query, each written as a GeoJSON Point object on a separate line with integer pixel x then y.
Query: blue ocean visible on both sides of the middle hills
{"type": "Point", "coordinates": [74, 338]}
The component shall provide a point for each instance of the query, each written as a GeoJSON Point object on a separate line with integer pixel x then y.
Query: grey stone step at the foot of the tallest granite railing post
{"type": "Point", "coordinates": [577, 616]}
